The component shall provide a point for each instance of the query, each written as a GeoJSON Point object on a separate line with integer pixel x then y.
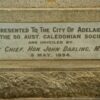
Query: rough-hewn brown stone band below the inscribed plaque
{"type": "Point", "coordinates": [50, 84]}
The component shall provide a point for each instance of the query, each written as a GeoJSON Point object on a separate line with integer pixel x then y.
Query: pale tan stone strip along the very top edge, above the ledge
{"type": "Point", "coordinates": [49, 3]}
